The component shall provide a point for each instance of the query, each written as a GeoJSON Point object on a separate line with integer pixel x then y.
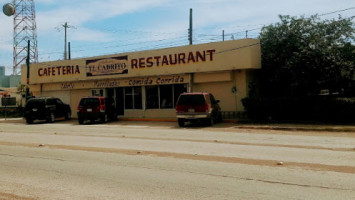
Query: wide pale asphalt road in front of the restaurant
{"type": "Point", "coordinates": [154, 160]}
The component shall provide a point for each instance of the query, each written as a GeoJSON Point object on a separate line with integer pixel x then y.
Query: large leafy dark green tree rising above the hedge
{"type": "Point", "coordinates": [301, 56]}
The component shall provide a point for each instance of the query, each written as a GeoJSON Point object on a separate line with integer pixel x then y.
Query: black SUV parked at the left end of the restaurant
{"type": "Point", "coordinates": [46, 108]}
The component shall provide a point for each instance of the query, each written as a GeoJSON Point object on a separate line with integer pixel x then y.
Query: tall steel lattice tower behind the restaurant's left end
{"type": "Point", "coordinates": [25, 30]}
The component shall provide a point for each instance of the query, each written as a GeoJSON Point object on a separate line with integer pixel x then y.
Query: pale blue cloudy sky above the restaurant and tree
{"type": "Point", "coordinates": [118, 26]}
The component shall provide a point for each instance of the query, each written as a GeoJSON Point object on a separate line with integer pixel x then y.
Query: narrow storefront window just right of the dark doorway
{"type": "Point", "coordinates": [133, 98]}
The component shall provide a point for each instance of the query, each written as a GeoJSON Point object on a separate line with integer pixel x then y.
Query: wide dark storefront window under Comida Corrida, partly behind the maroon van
{"type": "Point", "coordinates": [163, 96]}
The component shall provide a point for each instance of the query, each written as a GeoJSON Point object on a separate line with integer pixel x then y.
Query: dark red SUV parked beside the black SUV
{"type": "Point", "coordinates": [93, 108]}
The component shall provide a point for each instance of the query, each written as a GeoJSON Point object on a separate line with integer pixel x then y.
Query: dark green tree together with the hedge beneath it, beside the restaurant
{"type": "Point", "coordinates": [300, 58]}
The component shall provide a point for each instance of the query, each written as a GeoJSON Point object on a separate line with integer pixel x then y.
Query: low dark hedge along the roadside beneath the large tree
{"type": "Point", "coordinates": [313, 109]}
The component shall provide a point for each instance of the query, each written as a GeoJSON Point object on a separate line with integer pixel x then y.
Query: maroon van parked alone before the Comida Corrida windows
{"type": "Point", "coordinates": [198, 106]}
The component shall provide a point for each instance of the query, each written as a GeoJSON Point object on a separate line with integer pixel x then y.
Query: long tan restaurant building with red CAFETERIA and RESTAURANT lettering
{"type": "Point", "coordinates": [147, 84]}
